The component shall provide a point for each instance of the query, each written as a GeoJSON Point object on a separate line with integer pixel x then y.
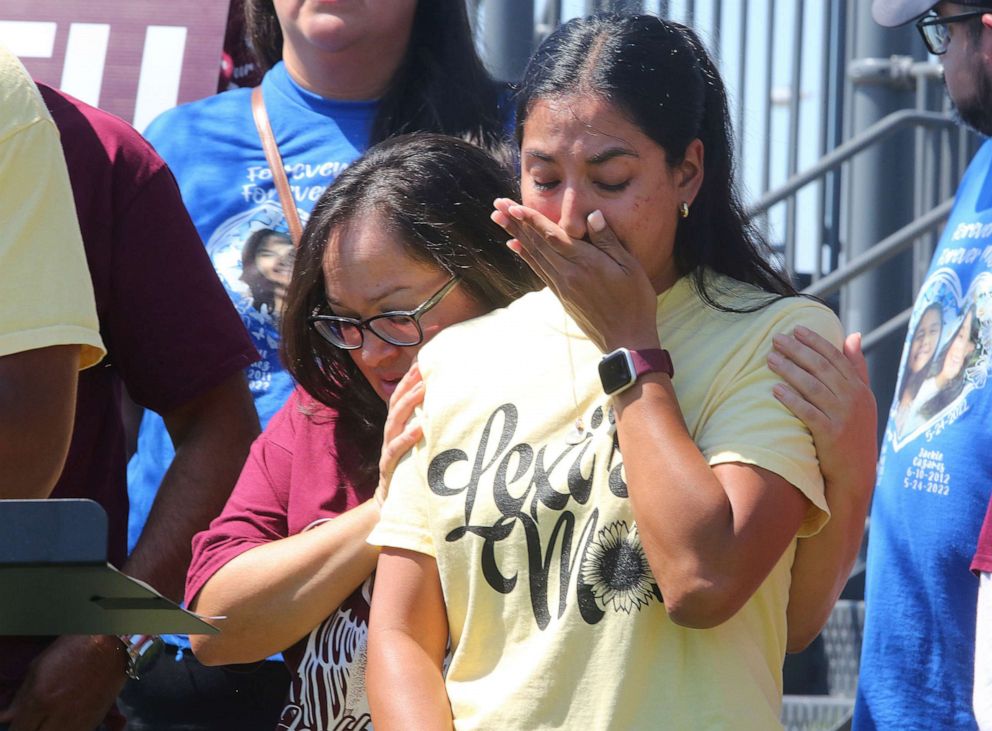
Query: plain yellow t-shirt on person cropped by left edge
{"type": "Point", "coordinates": [44, 280]}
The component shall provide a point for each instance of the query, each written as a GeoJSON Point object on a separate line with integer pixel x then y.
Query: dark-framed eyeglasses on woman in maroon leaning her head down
{"type": "Point", "coordinates": [400, 327]}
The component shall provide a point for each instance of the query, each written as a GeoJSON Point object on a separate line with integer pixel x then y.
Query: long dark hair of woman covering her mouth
{"type": "Point", "coordinates": [658, 75]}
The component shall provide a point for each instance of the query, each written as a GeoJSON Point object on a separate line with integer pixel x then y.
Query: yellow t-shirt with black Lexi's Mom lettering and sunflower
{"type": "Point", "coordinates": [555, 618]}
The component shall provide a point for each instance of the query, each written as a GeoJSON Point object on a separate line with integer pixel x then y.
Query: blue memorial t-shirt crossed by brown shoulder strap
{"type": "Point", "coordinates": [214, 151]}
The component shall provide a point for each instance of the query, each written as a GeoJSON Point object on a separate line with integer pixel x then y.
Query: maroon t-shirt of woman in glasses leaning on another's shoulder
{"type": "Point", "coordinates": [299, 473]}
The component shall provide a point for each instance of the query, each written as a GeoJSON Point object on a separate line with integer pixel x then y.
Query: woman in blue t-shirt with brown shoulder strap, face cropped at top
{"type": "Point", "coordinates": [339, 77]}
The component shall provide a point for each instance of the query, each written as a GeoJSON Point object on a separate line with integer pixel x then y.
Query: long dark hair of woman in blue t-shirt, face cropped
{"type": "Point", "coordinates": [440, 86]}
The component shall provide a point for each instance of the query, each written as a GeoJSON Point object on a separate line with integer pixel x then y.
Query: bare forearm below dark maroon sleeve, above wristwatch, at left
{"type": "Point", "coordinates": [212, 438]}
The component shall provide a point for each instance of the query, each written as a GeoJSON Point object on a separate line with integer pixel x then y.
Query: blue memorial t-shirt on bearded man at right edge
{"type": "Point", "coordinates": [934, 482]}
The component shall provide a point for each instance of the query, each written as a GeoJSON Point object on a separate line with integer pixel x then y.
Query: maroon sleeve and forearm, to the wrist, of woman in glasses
{"type": "Point", "coordinates": [273, 587]}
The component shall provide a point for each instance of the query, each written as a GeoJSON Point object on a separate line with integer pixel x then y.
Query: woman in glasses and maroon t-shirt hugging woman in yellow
{"type": "Point", "coordinates": [398, 248]}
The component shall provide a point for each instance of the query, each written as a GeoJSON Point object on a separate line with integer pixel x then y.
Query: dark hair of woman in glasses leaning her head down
{"type": "Point", "coordinates": [435, 195]}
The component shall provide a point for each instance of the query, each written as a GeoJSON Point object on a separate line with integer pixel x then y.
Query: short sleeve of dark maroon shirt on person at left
{"type": "Point", "coordinates": [171, 348]}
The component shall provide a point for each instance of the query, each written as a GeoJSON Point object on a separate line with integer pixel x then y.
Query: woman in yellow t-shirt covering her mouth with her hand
{"type": "Point", "coordinates": [607, 550]}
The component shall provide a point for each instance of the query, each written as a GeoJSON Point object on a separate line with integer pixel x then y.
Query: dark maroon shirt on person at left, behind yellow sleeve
{"type": "Point", "coordinates": [170, 329]}
